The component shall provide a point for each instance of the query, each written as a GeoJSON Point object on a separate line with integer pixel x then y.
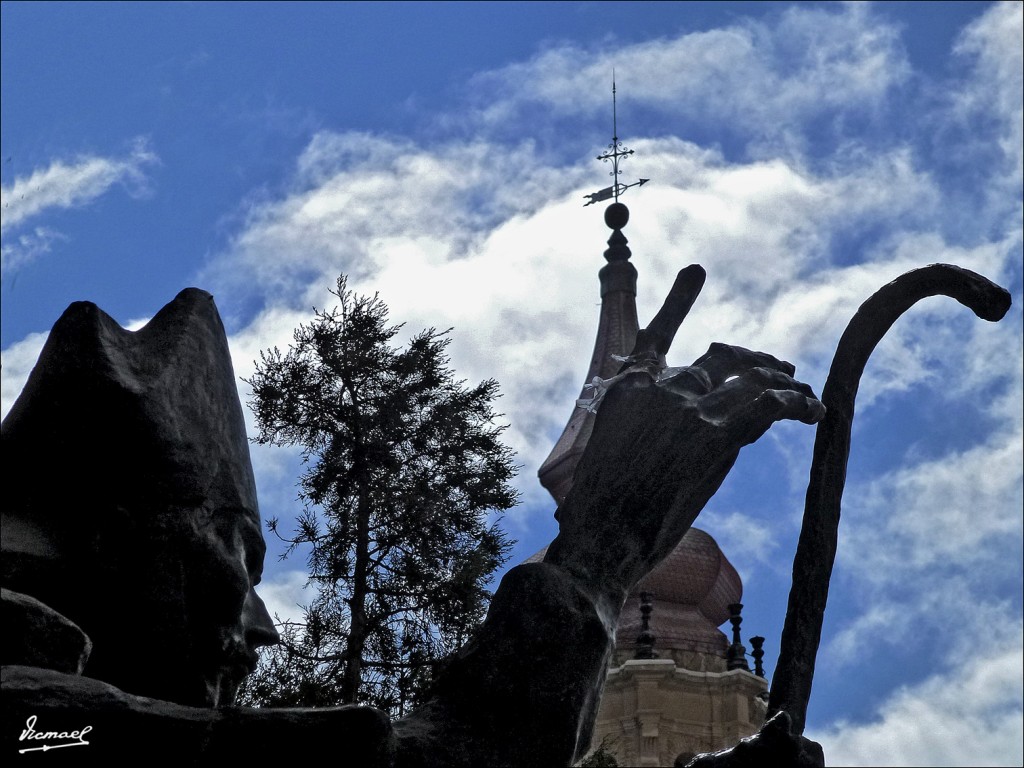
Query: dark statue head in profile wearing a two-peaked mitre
{"type": "Point", "coordinates": [132, 507]}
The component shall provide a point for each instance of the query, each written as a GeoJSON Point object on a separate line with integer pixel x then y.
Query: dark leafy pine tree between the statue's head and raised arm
{"type": "Point", "coordinates": [405, 483]}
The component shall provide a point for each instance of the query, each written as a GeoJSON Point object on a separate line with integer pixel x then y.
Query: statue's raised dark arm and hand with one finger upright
{"type": "Point", "coordinates": [526, 693]}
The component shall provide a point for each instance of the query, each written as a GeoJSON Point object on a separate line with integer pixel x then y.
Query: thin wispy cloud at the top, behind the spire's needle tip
{"type": "Point", "coordinates": [760, 79]}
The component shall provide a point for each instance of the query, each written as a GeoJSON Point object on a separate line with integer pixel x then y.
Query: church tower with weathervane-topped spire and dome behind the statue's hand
{"type": "Point", "coordinates": [696, 695]}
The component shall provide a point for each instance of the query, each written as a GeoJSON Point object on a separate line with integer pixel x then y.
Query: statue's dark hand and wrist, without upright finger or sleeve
{"type": "Point", "coordinates": [664, 443]}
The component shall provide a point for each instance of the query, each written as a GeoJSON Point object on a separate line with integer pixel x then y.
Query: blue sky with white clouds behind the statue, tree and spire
{"type": "Point", "coordinates": [804, 154]}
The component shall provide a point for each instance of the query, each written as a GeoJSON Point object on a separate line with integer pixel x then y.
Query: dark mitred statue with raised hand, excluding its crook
{"type": "Point", "coordinates": [525, 693]}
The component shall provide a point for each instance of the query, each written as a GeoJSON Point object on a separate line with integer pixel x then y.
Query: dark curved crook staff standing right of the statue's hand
{"type": "Point", "coordinates": [813, 566]}
